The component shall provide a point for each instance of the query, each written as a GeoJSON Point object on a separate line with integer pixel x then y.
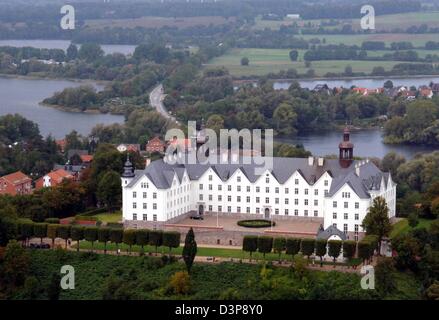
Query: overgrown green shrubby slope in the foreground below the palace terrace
{"type": "Point", "coordinates": [130, 277]}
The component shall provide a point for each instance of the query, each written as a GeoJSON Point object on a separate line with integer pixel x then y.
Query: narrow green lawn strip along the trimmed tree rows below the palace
{"type": "Point", "coordinates": [201, 251]}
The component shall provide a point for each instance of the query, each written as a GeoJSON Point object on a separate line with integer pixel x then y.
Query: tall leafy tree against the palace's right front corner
{"type": "Point", "coordinates": [377, 220]}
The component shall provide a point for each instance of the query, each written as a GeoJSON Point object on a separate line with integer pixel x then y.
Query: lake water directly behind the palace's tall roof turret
{"type": "Point", "coordinates": [368, 143]}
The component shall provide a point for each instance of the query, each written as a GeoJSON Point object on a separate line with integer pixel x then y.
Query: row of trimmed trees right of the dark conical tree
{"type": "Point", "coordinates": [309, 247]}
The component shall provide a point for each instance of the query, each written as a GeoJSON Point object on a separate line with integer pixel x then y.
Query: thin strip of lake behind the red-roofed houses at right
{"type": "Point", "coordinates": [370, 83]}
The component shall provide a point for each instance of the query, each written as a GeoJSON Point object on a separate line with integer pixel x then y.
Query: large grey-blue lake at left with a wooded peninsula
{"type": "Point", "coordinates": [22, 96]}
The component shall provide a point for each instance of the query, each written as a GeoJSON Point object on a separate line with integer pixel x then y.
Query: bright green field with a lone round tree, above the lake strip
{"type": "Point", "coordinates": [264, 61]}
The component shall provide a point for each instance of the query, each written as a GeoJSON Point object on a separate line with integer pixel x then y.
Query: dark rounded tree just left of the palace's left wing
{"type": "Point", "coordinates": [109, 189]}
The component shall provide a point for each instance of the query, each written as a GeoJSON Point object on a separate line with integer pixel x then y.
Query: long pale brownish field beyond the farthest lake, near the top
{"type": "Point", "coordinates": [157, 22]}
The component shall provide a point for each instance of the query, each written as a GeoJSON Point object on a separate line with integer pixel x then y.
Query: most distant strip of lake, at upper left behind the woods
{"type": "Point", "coordinates": [64, 44]}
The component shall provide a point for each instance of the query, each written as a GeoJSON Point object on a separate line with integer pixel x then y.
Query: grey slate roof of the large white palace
{"type": "Point", "coordinates": [162, 173]}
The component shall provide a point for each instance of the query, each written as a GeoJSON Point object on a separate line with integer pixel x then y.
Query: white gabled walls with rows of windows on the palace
{"type": "Point", "coordinates": [344, 208]}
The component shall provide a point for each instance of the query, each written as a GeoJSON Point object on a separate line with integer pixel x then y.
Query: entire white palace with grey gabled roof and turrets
{"type": "Point", "coordinates": [338, 192]}
